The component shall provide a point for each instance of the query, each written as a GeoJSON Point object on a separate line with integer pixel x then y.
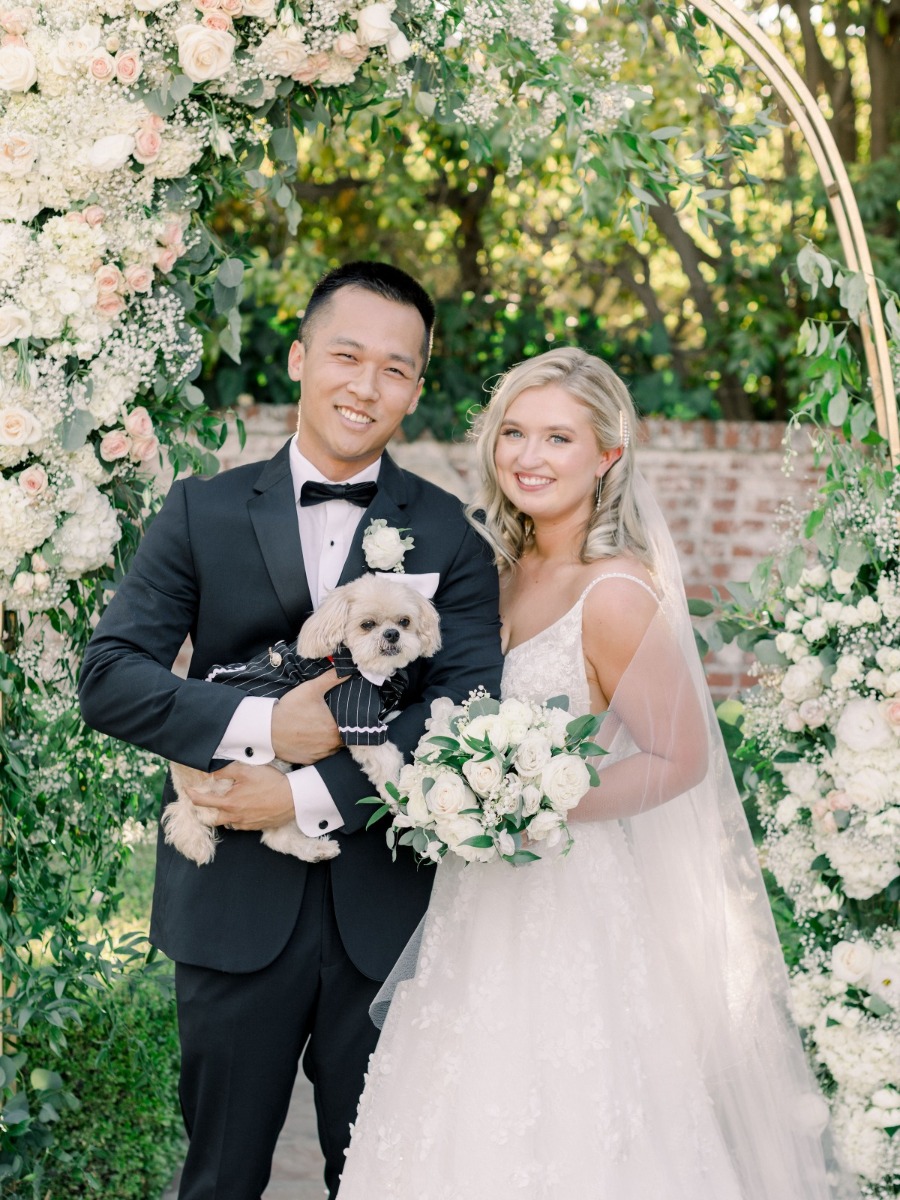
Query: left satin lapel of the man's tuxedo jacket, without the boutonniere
{"type": "Point", "coordinates": [273, 513]}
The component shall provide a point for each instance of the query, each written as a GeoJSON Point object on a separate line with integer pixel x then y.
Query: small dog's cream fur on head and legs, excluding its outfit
{"type": "Point", "coordinates": [386, 625]}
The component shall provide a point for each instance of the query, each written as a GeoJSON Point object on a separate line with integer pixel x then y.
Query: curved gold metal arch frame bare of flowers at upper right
{"type": "Point", "coordinates": [805, 110]}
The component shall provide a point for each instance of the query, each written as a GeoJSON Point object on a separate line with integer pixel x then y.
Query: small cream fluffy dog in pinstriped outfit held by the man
{"type": "Point", "coordinates": [369, 628]}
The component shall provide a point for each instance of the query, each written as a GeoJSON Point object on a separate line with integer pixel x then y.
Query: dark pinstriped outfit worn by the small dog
{"type": "Point", "coordinates": [358, 706]}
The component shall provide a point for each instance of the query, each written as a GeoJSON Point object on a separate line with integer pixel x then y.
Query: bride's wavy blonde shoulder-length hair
{"type": "Point", "coordinates": [615, 526]}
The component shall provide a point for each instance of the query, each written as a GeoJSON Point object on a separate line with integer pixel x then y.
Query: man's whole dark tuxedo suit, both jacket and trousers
{"type": "Point", "coordinates": [223, 562]}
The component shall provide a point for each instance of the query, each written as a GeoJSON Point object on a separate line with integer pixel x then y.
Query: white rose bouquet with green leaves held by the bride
{"type": "Point", "coordinates": [493, 779]}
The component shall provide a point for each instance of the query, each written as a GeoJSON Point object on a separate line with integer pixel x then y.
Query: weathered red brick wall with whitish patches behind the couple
{"type": "Point", "coordinates": [721, 485]}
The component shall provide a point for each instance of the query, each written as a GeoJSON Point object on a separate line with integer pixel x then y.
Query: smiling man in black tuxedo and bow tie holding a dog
{"type": "Point", "coordinates": [277, 959]}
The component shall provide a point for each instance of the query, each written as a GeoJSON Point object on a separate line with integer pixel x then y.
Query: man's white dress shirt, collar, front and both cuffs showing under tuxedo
{"type": "Point", "coordinates": [327, 531]}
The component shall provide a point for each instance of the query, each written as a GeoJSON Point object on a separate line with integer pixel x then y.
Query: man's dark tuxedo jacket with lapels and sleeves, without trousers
{"type": "Point", "coordinates": [223, 562]}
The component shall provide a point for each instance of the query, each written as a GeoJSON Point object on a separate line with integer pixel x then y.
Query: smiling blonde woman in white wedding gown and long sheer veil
{"type": "Point", "coordinates": [610, 1024]}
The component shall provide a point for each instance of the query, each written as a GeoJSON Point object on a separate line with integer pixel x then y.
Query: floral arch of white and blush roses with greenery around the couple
{"type": "Point", "coordinates": [122, 123]}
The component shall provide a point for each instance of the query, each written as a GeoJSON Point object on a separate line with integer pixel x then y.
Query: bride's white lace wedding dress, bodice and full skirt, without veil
{"type": "Point", "coordinates": [539, 1051]}
